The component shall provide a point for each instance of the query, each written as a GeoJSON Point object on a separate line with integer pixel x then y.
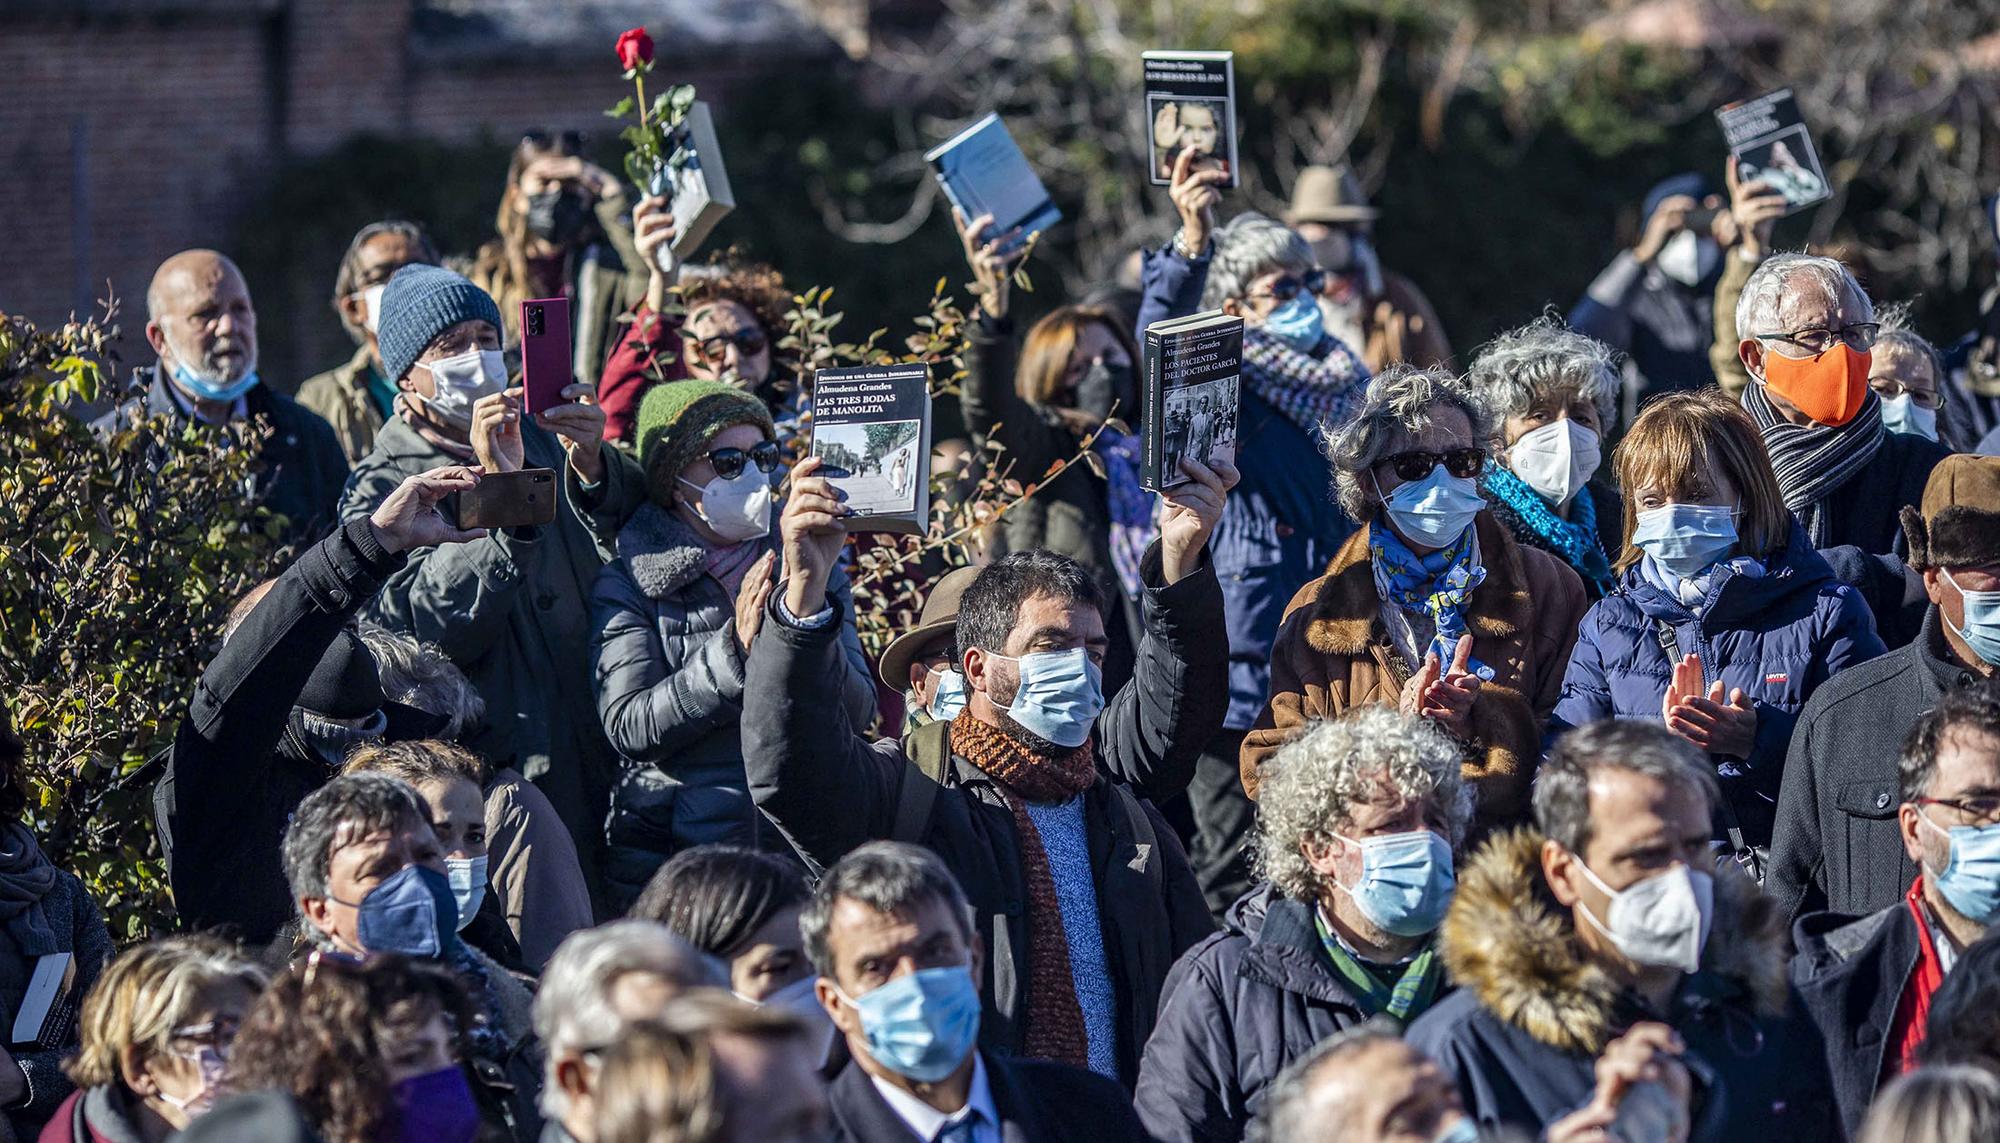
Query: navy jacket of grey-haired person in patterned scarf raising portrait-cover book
{"type": "Point", "coordinates": [1279, 529]}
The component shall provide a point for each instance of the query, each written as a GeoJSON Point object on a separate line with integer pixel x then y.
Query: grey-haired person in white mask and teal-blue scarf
{"type": "Point", "coordinates": [1555, 397]}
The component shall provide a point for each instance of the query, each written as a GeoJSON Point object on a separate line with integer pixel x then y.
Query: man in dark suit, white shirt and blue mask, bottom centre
{"type": "Point", "coordinates": [899, 964]}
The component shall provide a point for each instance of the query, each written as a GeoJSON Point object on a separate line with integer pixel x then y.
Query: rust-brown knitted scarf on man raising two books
{"type": "Point", "coordinates": [1055, 1028]}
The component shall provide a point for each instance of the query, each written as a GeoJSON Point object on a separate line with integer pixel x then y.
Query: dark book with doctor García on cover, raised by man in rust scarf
{"type": "Point", "coordinates": [1191, 395]}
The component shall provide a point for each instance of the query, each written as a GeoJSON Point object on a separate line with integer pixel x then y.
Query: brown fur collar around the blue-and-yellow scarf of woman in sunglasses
{"type": "Point", "coordinates": [1347, 612]}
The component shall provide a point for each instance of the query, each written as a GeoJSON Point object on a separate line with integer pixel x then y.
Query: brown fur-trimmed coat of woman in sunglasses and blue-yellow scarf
{"type": "Point", "coordinates": [1333, 654]}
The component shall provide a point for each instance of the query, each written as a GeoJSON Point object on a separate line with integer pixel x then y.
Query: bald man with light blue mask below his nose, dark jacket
{"type": "Point", "coordinates": [203, 331]}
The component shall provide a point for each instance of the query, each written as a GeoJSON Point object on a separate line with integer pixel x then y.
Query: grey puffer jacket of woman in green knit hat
{"type": "Point", "coordinates": [671, 688]}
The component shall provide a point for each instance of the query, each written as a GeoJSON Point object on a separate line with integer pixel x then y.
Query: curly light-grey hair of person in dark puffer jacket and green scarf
{"type": "Point", "coordinates": [1313, 780]}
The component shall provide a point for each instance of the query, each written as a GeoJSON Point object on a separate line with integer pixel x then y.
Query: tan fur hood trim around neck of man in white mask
{"type": "Point", "coordinates": [1515, 948]}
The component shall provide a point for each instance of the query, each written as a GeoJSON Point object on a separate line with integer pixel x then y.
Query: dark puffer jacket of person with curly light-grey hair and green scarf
{"type": "Point", "coordinates": [1235, 1012]}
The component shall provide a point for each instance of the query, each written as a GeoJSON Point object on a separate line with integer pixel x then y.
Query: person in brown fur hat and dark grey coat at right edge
{"type": "Point", "coordinates": [1837, 844]}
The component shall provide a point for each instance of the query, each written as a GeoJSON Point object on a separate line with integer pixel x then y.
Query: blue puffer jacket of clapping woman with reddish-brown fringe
{"type": "Point", "coordinates": [1777, 636]}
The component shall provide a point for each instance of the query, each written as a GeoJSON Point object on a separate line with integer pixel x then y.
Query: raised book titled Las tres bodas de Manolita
{"type": "Point", "coordinates": [871, 427]}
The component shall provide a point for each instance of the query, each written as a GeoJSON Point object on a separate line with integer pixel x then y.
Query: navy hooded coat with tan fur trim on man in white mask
{"type": "Point", "coordinates": [1535, 1010]}
